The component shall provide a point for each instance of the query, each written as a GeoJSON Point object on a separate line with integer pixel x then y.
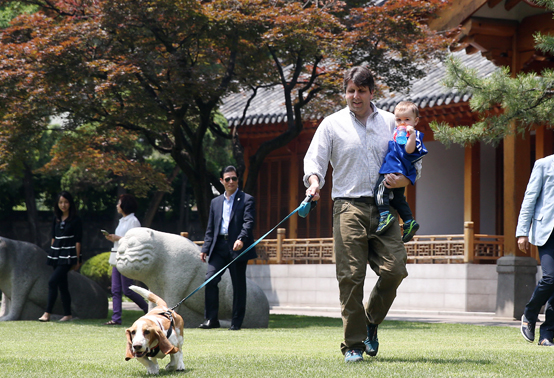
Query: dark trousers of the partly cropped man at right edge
{"type": "Point", "coordinates": [544, 292]}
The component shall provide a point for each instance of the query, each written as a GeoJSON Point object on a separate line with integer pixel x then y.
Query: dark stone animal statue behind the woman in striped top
{"type": "Point", "coordinates": [24, 284]}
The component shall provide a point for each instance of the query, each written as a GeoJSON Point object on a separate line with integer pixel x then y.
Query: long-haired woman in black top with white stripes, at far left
{"type": "Point", "coordinates": [65, 253]}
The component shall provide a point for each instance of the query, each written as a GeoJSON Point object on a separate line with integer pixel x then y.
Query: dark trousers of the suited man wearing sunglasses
{"type": "Point", "coordinates": [221, 256]}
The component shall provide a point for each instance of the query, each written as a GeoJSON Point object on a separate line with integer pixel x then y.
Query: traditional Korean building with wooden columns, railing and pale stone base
{"type": "Point", "coordinates": [468, 198]}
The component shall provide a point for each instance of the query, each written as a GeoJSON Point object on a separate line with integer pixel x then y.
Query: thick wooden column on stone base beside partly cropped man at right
{"type": "Point", "coordinates": [517, 169]}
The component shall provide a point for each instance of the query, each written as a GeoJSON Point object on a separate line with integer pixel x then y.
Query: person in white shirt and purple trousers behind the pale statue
{"type": "Point", "coordinates": [126, 206]}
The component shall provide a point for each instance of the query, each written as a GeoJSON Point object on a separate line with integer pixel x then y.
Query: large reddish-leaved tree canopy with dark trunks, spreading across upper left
{"type": "Point", "coordinates": [160, 69]}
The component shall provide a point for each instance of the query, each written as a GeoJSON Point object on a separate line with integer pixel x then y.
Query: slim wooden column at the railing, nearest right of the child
{"type": "Point", "coordinates": [472, 186]}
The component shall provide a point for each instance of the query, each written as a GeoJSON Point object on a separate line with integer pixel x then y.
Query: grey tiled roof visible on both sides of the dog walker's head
{"type": "Point", "coordinates": [268, 106]}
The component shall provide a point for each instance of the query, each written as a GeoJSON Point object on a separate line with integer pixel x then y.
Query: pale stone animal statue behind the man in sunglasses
{"type": "Point", "coordinates": [170, 266]}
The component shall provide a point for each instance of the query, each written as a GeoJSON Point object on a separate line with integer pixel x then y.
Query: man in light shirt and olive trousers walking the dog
{"type": "Point", "coordinates": [355, 141]}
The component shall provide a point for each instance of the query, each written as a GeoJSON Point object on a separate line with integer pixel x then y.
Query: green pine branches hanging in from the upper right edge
{"type": "Point", "coordinates": [527, 99]}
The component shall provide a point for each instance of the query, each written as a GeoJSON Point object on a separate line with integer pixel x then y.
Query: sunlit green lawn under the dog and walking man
{"type": "Point", "coordinates": [292, 346]}
